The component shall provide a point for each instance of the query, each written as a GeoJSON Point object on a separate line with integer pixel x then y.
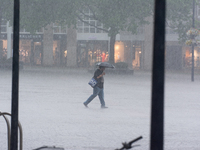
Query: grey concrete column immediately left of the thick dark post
{"type": "Point", "coordinates": [148, 45]}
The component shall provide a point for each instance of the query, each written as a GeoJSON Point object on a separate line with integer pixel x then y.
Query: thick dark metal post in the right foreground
{"type": "Point", "coordinates": [157, 106]}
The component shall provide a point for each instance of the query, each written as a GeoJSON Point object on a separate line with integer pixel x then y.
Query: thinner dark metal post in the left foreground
{"type": "Point", "coordinates": [15, 78]}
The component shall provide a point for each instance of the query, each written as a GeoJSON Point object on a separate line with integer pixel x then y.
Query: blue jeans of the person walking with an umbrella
{"type": "Point", "coordinates": [96, 91]}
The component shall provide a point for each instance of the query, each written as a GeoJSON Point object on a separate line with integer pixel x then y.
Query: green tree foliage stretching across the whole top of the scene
{"type": "Point", "coordinates": [116, 15]}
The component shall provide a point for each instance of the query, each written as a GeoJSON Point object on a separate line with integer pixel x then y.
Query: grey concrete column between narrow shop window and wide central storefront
{"type": "Point", "coordinates": [71, 47]}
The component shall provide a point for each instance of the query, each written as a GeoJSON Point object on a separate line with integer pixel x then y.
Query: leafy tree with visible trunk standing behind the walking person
{"type": "Point", "coordinates": [115, 15]}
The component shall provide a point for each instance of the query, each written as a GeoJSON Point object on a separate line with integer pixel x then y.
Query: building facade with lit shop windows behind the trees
{"type": "Point", "coordinates": [83, 47]}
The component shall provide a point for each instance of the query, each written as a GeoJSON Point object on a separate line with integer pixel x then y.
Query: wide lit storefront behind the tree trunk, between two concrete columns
{"type": "Point", "coordinates": [90, 52]}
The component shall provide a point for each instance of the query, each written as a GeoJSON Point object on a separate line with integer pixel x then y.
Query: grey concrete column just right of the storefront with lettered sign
{"type": "Point", "coordinates": [48, 45]}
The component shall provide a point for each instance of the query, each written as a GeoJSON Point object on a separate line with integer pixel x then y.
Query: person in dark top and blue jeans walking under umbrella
{"type": "Point", "coordinates": [98, 89]}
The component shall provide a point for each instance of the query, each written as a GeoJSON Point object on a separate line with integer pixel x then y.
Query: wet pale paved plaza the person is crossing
{"type": "Point", "coordinates": [51, 110]}
